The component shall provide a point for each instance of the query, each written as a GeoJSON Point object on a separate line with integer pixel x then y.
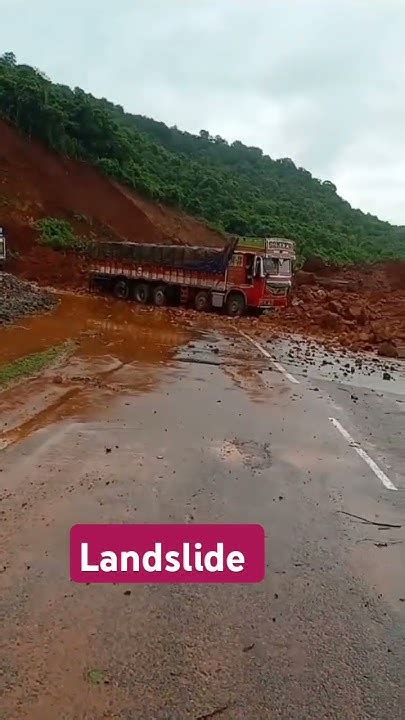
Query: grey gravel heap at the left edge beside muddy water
{"type": "Point", "coordinates": [19, 298]}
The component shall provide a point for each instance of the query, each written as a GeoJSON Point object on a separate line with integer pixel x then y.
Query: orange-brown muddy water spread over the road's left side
{"type": "Point", "coordinates": [112, 348]}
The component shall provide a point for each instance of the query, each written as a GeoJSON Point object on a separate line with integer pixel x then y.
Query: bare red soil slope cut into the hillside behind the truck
{"type": "Point", "coordinates": [36, 183]}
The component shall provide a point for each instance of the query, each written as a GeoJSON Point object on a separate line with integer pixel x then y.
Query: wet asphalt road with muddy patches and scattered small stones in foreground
{"type": "Point", "coordinates": [203, 428]}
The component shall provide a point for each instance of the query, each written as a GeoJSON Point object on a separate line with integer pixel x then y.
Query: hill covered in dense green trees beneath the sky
{"type": "Point", "coordinates": [236, 188]}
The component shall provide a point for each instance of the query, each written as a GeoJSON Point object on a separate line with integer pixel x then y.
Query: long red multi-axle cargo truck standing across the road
{"type": "Point", "coordinates": [247, 274]}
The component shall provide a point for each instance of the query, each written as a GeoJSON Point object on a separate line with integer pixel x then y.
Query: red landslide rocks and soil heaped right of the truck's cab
{"type": "Point", "coordinates": [360, 308]}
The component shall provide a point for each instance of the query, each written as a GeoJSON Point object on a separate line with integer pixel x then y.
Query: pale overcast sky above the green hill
{"type": "Point", "coordinates": [320, 81]}
